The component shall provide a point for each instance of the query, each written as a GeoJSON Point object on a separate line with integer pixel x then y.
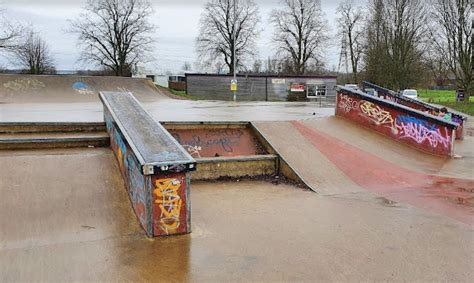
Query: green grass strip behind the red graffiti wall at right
{"type": "Point", "coordinates": [446, 98]}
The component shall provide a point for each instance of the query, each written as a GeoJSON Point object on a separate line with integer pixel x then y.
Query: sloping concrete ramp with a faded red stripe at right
{"type": "Point", "coordinates": [336, 157]}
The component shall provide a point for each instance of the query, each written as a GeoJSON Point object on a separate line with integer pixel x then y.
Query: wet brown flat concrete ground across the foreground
{"type": "Point", "coordinates": [65, 216]}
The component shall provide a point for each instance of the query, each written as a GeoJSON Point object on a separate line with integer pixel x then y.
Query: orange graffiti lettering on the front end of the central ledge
{"type": "Point", "coordinates": [169, 202]}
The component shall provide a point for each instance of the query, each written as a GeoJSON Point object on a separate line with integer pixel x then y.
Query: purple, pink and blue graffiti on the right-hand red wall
{"type": "Point", "coordinates": [421, 131]}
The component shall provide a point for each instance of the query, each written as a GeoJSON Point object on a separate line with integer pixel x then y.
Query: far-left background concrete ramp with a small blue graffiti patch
{"type": "Point", "coordinates": [47, 89]}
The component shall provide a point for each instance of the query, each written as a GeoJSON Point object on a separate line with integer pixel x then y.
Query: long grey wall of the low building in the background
{"type": "Point", "coordinates": [251, 88]}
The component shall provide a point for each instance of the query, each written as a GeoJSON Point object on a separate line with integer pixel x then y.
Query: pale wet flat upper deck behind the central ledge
{"type": "Point", "coordinates": [168, 110]}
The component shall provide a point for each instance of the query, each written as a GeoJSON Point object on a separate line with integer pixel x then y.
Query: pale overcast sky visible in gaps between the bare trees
{"type": "Point", "coordinates": [176, 22]}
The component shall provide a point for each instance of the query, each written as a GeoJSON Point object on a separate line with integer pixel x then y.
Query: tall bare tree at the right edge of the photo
{"type": "Point", "coordinates": [453, 36]}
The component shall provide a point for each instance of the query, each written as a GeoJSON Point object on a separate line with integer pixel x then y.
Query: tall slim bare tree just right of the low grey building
{"type": "Point", "coordinates": [351, 33]}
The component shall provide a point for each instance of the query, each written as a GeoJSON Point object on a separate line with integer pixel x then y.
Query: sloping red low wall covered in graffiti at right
{"type": "Point", "coordinates": [408, 126]}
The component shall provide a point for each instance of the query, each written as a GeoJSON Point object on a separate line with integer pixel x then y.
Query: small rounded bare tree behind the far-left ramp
{"type": "Point", "coordinates": [33, 55]}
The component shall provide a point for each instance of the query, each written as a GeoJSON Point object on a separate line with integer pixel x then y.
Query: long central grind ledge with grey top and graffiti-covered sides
{"type": "Point", "coordinates": [153, 165]}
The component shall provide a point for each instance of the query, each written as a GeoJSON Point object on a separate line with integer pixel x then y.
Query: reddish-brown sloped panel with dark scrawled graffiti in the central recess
{"type": "Point", "coordinates": [217, 142]}
